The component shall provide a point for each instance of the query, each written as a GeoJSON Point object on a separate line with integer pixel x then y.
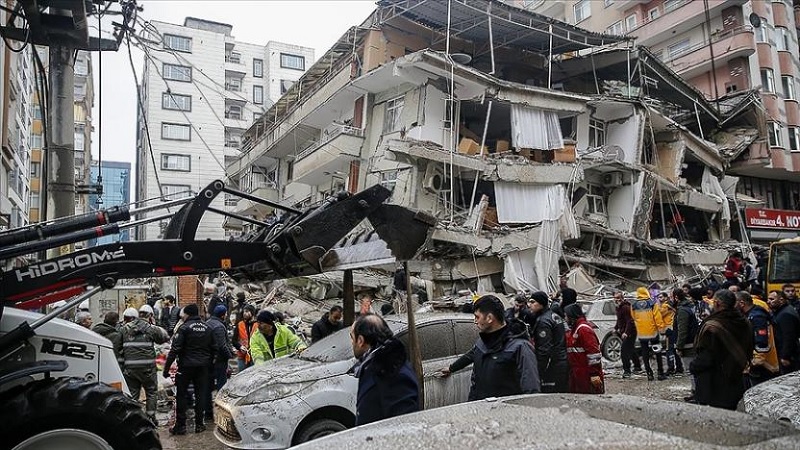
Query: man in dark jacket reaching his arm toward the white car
{"type": "Point", "coordinates": [503, 361]}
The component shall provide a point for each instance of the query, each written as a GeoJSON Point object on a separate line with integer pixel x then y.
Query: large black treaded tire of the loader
{"type": "Point", "coordinates": [87, 414]}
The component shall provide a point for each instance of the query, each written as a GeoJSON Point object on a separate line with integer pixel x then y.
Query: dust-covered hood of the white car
{"type": "Point", "coordinates": [287, 370]}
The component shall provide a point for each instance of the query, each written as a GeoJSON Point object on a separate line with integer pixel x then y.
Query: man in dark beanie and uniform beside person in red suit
{"type": "Point", "coordinates": [550, 344]}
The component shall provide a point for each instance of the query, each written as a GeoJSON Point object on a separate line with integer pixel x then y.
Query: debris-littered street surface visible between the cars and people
{"type": "Point", "coordinates": [674, 388]}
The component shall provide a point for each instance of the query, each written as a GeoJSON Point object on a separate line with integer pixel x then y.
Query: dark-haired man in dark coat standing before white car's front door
{"type": "Point", "coordinates": [387, 385]}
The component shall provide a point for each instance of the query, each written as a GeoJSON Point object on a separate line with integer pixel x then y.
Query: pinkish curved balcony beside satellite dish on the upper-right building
{"type": "Point", "coordinates": [727, 45]}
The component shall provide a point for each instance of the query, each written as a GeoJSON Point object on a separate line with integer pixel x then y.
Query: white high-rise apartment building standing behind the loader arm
{"type": "Point", "coordinates": [201, 89]}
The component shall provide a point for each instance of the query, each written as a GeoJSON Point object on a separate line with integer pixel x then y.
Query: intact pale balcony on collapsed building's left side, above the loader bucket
{"type": "Point", "coordinates": [330, 156]}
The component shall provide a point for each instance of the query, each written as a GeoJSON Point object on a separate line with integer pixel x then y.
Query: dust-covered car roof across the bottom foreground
{"type": "Point", "coordinates": [557, 421]}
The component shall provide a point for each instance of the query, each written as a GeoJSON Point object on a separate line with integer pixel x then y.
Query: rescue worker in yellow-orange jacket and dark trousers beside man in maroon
{"type": "Point", "coordinates": [647, 318]}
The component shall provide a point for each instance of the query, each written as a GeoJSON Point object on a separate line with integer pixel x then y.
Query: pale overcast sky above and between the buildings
{"type": "Point", "coordinates": [315, 24]}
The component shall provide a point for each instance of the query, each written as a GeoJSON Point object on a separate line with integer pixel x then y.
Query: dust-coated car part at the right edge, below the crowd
{"type": "Point", "coordinates": [778, 399]}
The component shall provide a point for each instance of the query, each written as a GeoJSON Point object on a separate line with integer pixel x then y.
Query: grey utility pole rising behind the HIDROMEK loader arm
{"type": "Point", "coordinates": [60, 149]}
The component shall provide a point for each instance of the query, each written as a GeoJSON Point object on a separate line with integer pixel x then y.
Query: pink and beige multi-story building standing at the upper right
{"type": "Point", "coordinates": [724, 48]}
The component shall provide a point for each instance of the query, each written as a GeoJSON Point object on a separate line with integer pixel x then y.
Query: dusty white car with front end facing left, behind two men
{"type": "Point", "coordinates": [298, 398]}
